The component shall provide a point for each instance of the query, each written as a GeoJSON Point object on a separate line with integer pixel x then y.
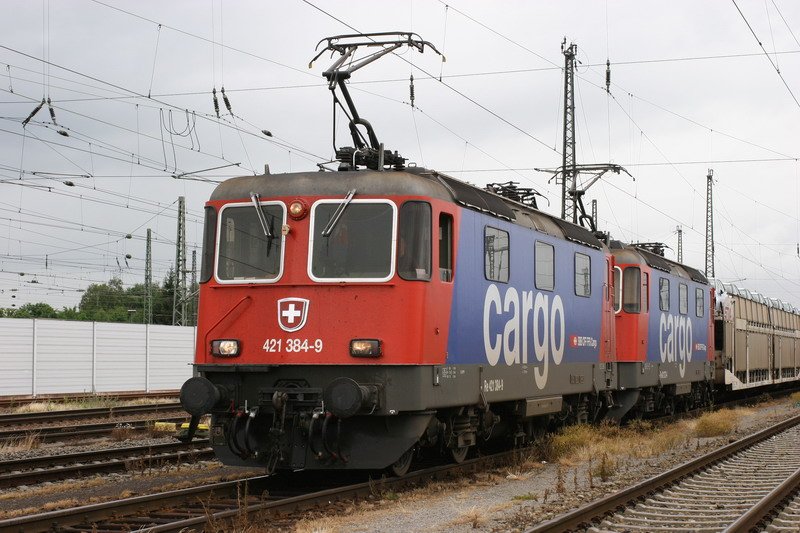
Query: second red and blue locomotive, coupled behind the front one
{"type": "Point", "coordinates": [665, 342]}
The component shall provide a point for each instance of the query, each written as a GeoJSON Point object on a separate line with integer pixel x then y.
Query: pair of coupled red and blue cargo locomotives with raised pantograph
{"type": "Point", "coordinates": [348, 319]}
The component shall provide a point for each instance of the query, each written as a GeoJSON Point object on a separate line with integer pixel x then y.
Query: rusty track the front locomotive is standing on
{"type": "Point", "coordinates": [191, 509]}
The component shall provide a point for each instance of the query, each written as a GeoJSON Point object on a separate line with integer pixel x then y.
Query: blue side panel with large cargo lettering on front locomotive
{"type": "Point", "coordinates": [515, 323]}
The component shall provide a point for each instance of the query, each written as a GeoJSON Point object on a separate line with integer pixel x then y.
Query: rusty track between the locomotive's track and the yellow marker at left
{"type": "Point", "coordinates": [28, 471]}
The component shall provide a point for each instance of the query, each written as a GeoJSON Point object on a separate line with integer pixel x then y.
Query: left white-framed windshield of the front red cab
{"type": "Point", "coordinates": [245, 252]}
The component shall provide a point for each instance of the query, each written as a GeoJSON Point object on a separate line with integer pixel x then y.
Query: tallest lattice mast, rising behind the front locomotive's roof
{"type": "Point", "coordinates": [568, 172]}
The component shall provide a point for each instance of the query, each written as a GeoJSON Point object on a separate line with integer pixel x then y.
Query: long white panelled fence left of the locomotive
{"type": "Point", "coordinates": [42, 356]}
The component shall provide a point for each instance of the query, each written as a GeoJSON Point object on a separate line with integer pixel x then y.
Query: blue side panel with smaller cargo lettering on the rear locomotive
{"type": "Point", "coordinates": [678, 324]}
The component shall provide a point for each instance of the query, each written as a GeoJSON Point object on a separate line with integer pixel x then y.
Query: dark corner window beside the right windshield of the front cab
{"type": "Point", "coordinates": [414, 241]}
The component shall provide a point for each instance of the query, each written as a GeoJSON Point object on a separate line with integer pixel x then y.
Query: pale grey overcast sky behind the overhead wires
{"type": "Point", "coordinates": [691, 89]}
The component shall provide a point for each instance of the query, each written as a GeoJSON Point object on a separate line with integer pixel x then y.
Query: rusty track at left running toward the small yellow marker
{"type": "Point", "coordinates": [18, 426]}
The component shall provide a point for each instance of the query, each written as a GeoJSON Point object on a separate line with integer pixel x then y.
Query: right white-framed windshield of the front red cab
{"type": "Point", "coordinates": [360, 245]}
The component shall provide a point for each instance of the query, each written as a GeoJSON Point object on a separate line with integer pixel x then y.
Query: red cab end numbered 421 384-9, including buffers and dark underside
{"type": "Point", "coordinates": [320, 289]}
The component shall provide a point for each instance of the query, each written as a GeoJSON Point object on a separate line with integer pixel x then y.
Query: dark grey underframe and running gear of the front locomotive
{"type": "Point", "coordinates": [275, 415]}
